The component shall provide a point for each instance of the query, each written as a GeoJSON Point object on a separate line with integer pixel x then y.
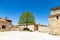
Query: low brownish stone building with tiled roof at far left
{"type": "Point", "coordinates": [5, 24]}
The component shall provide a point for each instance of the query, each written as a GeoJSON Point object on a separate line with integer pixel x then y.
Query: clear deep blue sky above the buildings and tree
{"type": "Point", "coordinates": [40, 9]}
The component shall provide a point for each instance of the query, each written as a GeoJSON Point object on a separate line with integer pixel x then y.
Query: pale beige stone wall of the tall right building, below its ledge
{"type": "Point", "coordinates": [54, 24]}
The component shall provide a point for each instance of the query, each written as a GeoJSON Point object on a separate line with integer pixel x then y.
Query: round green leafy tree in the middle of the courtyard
{"type": "Point", "coordinates": [26, 18]}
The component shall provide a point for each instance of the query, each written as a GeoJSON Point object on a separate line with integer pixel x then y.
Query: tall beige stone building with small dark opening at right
{"type": "Point", "coordinates": [54, 20]}
